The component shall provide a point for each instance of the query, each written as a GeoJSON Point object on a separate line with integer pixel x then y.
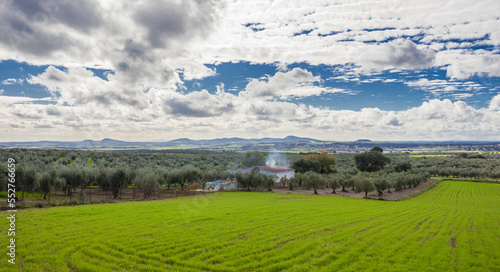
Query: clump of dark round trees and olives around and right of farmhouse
{"type": "Point", "coordinates": [315, 171]}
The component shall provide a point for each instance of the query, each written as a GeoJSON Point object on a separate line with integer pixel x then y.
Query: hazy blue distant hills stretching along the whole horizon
{"type": "Point", "coordinates": [242, 144]}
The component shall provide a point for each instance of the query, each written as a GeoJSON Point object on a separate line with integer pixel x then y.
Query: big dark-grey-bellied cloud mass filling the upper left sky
{"type": "Point", "coordinates": [145, 42]}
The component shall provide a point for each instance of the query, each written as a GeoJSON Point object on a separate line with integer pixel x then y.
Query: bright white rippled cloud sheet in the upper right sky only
{"type": "Point", "coordinates": [268, 32]}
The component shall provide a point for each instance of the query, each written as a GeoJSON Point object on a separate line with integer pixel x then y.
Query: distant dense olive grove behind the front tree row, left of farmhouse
{"type": "Point", "coordinates": [206, 161]}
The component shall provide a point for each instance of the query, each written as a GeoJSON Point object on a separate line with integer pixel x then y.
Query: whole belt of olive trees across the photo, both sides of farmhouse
{"type": "Point", "coordinates": [46, 170]}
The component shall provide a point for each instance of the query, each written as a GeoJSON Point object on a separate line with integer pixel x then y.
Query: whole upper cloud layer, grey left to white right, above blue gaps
{"type": "Point", "coordinates": [148, 41]}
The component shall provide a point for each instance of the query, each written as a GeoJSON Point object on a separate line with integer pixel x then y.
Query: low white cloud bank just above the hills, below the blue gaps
{"type": "Point", "coordinates": [203, 115]}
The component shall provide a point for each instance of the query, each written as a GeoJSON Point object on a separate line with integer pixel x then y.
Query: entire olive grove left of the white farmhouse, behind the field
{"type": "Point", "coordinates": [49, 170]}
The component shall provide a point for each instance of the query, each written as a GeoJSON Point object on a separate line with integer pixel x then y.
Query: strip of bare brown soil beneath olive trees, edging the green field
{"type": "Point", "coordinates": [393, 195]}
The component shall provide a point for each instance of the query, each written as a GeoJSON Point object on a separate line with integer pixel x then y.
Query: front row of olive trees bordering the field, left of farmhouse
{"type": "Point", "coordinates": [66, 178]}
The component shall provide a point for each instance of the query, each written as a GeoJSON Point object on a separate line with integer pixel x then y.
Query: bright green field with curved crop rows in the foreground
{"type": "Point", "coordinates": [452, 227]}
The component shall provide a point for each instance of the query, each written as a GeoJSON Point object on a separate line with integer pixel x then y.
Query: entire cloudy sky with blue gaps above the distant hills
{"type": "Point", "coordinates": [201, 69]}
